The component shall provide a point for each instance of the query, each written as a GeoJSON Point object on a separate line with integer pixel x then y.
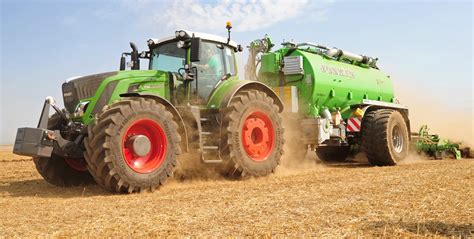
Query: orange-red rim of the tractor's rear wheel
{"type": "Point", "coordinates": [258, 136]}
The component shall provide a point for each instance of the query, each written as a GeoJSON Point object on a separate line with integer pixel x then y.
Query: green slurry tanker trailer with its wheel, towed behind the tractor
{"type": "Point", "coordinates": [336, 101]}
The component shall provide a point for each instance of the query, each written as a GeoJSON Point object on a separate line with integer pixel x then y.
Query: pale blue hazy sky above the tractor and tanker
{"type": "Point", "coordinates": [426, 46]}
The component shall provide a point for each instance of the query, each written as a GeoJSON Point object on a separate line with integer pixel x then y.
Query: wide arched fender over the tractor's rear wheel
{"type": "Point", "coordinates": [222, 96]}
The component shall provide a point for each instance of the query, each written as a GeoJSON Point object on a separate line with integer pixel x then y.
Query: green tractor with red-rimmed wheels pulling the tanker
{"type": "Point", "coordinates": [126, 129]}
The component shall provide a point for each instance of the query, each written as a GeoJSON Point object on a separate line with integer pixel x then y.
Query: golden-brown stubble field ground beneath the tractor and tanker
{"type": "Point", "coordinates": [417, 198]}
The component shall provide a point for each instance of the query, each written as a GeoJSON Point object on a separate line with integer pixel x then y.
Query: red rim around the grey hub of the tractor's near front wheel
{"type": "Point", "coordinates": [152, 160]}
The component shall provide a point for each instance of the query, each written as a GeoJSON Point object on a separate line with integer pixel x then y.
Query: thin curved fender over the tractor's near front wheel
{"type": "Point", "coordinates": [176, 115]}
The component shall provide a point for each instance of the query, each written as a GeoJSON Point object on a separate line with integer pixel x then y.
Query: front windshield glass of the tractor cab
{"type": "Point", "coordinates": [167, 57]}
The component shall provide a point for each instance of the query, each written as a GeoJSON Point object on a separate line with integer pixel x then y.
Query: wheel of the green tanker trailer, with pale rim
{"type": "Point", "coordinates": [384, 137]}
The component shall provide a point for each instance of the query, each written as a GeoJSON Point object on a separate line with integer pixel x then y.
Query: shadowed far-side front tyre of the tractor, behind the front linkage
{"type": "Point", "coordinates": [59, 171]}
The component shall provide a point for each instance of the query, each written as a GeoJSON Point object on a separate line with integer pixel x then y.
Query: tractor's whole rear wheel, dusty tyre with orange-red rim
{"type": "Point", "coordinates": [253, 134]}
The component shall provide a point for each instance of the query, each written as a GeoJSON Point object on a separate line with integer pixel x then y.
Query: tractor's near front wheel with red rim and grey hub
{"type": "Point", "coordinates": [132, 145]}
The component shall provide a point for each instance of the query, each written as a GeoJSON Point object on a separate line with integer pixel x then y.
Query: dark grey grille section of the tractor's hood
{"type": "Point", "coordinates": [82, 88]}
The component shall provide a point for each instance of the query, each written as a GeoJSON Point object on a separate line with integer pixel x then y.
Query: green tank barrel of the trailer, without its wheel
{"type": "Point", "coordinates": [325, 81]}
